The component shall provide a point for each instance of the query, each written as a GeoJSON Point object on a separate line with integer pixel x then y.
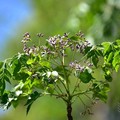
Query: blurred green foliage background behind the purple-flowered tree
{"type": "Point", "coordinates": [99, 20]}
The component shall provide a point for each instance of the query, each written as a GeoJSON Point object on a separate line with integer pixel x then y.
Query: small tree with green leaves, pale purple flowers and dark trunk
{"type": "Point", "coordinates": [63, 68]}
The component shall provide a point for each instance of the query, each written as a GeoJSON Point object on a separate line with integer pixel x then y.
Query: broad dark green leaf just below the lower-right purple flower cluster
{"type": "Point", "coordinates": [85, 76]}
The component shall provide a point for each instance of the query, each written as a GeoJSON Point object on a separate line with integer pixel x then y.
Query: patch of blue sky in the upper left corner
{"type": "Point", "coordinates": [12, 12]}
